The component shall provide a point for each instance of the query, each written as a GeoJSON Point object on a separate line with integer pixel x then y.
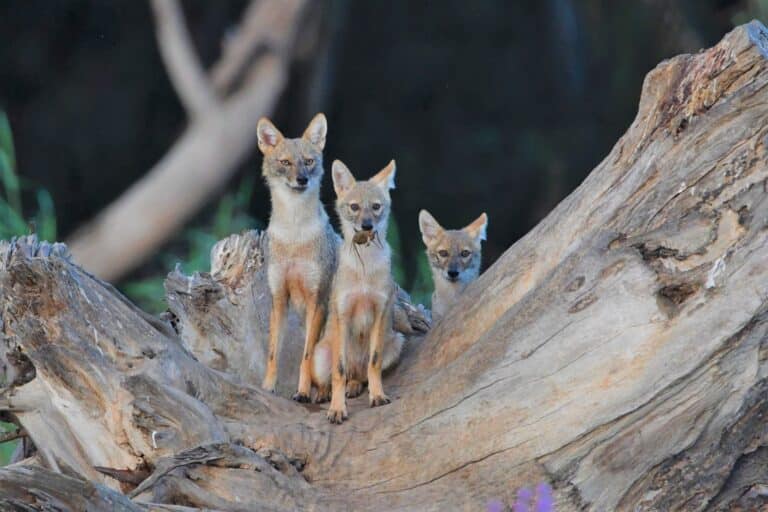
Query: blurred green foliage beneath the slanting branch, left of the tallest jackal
{"type": "Point", "coordinates": [192, 252]}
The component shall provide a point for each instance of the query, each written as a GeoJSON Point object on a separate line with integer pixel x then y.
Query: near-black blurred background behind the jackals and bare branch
{"type": "Point", "coordinates": [497, 106]}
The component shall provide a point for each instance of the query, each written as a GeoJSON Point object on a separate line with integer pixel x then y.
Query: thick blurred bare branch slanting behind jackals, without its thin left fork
{"type": "Point", "coordinates": [195, 168]}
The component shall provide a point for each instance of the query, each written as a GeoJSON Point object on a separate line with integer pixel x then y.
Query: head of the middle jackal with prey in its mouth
{"type": "Point", "coordinates": [363, 206]}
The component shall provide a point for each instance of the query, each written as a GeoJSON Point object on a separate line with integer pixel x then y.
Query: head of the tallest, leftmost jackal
{"type": "Point", "coordinates": [296, 164]}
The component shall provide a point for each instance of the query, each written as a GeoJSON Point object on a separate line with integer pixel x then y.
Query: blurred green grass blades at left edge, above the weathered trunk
{"type": "Point", "coordinates": [12, 220]}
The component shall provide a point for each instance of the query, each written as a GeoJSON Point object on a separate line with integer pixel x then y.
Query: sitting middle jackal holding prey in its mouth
{"type": "Point", "coordinates": [359, 341]}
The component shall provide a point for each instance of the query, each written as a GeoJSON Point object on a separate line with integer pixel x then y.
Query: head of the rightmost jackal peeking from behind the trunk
{"type": "Point", "coordinates": [454, 254]}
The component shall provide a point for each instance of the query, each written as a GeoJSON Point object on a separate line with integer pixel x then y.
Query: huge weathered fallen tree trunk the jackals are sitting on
{"type": "Point", "coordinates": [618, 351]}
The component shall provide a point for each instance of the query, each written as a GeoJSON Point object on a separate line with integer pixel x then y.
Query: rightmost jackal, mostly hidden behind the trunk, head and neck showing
{"type": "Point", "coordinates": [454, 255]}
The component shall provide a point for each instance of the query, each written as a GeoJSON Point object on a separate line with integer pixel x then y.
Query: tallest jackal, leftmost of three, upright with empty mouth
{"type": "Point", "coordinates": [302, 244]}
